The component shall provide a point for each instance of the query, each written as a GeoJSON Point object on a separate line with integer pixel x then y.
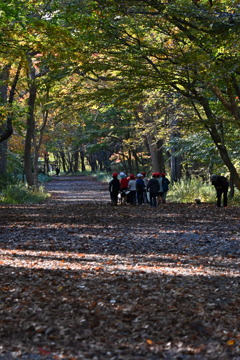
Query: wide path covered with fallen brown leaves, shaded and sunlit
{"type": "Point", "coordinates": [81, 279]}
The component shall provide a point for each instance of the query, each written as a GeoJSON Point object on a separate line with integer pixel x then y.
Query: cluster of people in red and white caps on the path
{"type": "Point", "coordinates": [138, 190]}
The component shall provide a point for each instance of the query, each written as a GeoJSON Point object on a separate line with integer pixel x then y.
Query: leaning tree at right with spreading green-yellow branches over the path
{"type": "Point", "coordinates": [177, 45]}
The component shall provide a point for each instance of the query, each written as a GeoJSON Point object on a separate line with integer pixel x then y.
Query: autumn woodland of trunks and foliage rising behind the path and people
{"type": "Point", "coordinates": [120, 85]}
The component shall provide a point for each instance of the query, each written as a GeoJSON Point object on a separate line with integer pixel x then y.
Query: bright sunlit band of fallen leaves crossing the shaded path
{"type": "Point", "coordinates": [91, 264]}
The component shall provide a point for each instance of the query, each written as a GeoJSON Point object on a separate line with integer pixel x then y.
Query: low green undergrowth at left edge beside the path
{"type": "Point", "coordinates": [19, 194]}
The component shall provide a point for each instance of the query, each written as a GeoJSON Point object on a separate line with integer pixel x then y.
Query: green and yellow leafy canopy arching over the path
{"type": "Point", "coordinates": [169, 66]}
